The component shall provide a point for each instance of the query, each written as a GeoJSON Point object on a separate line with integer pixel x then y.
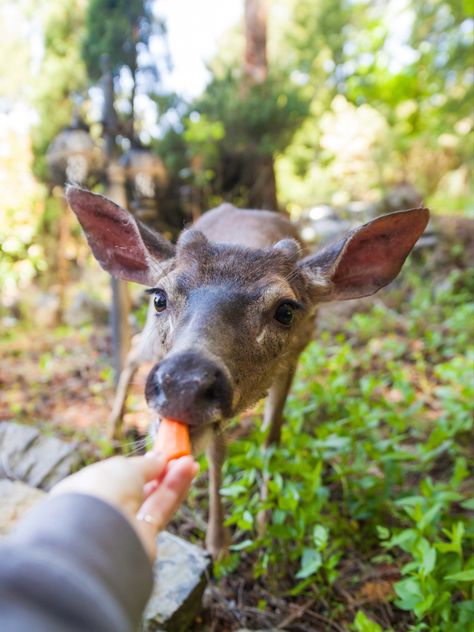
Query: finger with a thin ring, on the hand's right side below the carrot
{"type": "Point", "coordinates": [162, 504]}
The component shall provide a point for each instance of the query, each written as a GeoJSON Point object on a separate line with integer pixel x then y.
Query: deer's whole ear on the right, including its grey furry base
{"type": "Point", "coordinates": [367, 259]}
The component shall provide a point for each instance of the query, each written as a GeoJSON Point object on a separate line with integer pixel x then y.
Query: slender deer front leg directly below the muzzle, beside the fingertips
{"type": "Point", "coordinates": [217, 538]}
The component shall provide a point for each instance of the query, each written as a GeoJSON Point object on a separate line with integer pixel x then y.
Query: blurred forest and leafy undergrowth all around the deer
{"type": "Point", "coordinates": [333, 111]}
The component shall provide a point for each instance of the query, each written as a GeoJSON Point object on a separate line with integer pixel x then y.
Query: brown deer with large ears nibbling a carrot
{"type": "Point", "coordinates": [232, 305]}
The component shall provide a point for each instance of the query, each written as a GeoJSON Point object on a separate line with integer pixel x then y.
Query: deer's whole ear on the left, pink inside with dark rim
{"type": "Point", "coordinates": [121, 244]}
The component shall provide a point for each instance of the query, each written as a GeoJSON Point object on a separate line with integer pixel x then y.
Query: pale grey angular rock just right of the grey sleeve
{"type": "Point", "coordinates": [181, 574]}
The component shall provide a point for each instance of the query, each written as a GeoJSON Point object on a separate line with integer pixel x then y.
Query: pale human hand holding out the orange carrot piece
{"type": "Point", "coordinates": [145, 489]}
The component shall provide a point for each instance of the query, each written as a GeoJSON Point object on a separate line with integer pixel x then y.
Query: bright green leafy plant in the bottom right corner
{"type": "Point", "coordinates": [438, 581]}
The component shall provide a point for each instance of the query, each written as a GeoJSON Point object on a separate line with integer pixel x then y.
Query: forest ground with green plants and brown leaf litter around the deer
{"type": "Point", "coordinates": [376, 439]}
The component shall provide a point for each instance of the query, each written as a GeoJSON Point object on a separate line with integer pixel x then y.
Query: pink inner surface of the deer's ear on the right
{"type": "Point", "coordinates": [375, 254]}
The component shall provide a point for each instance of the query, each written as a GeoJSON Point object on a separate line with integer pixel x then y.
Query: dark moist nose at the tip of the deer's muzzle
{"type": "Point", "coordinates": [190, 388]}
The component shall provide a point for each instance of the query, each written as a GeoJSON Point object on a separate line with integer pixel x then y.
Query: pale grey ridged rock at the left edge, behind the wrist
{"type": "Point", "coordinates": [35, 459]}
